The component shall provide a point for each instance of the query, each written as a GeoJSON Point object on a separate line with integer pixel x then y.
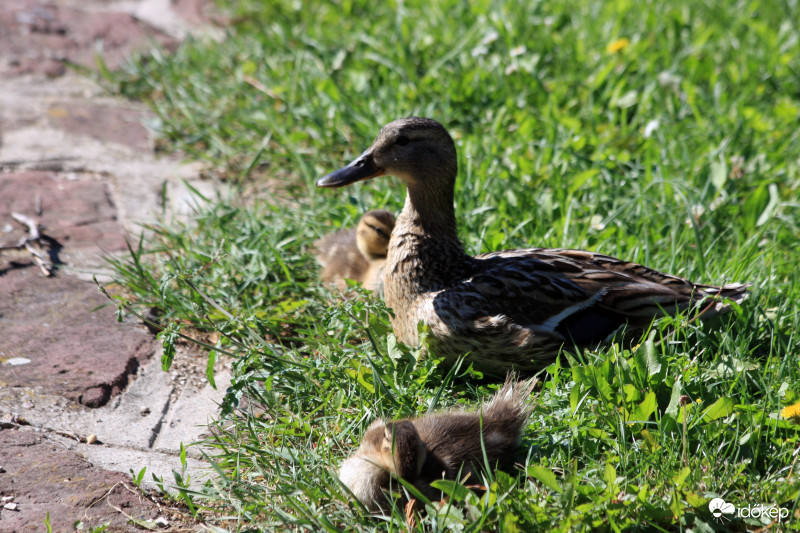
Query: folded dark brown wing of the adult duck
{"type": "Point", "coordinates": [547, 296]}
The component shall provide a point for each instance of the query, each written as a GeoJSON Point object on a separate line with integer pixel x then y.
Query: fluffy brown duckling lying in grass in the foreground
{"type": "Point", "coordinates": [445, 445]}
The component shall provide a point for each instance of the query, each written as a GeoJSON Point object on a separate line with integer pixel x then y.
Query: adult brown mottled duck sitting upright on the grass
{"type": "Point", "coordinates": [513, 309]}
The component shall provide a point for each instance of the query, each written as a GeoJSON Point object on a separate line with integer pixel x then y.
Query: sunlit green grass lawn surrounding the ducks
{"type": "Point", "coordinates": [550, 125]}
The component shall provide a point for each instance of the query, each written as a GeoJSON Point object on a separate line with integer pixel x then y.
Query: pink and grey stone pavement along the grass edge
{"type": "Point", "coordinates": [83, 399]}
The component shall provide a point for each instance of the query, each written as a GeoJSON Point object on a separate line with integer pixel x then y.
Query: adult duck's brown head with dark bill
{"type": "Point", "coordinates": [414, 149]}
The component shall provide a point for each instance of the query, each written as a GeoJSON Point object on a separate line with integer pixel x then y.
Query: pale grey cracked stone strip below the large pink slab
{"type": "Point", "coordinates": [142, 427]}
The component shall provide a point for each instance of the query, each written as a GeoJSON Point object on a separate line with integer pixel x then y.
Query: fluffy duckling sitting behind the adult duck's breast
{"type": "Point", "coordinates": [358, 254]}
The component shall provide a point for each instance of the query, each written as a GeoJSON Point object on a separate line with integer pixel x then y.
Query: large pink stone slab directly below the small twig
{"type": "Point", "coordinates": [85, 357]}
